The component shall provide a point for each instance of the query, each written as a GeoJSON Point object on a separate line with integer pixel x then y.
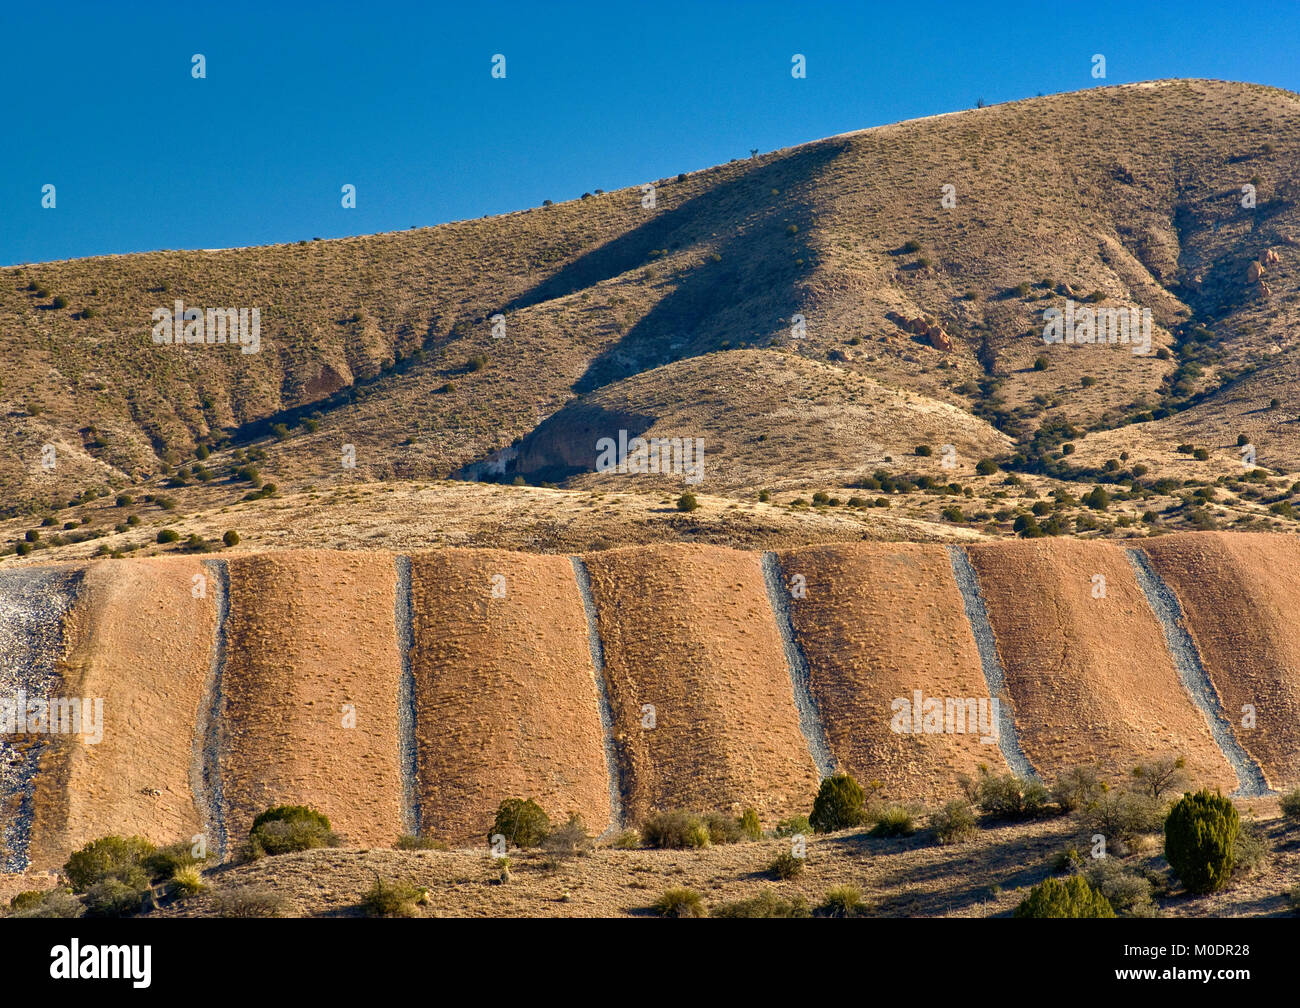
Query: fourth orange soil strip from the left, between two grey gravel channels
{"type": "Point", "coordinates": [690, 630]}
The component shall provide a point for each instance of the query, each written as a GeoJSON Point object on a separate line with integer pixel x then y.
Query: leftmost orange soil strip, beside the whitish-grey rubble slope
{"type": "Point", "coordinates": [138, 639]}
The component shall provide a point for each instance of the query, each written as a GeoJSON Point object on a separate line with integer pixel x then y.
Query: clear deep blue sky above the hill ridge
{"type": "Point", "coordinates": [398, 101]}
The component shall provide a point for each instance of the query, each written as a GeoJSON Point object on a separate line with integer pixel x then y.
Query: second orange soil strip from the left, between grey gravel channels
{"type": "Point", "coordinates": [309, 634]}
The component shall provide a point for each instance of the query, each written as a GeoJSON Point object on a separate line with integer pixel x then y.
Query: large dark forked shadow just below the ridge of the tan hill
{"type": "Point", "coordinates": [748, 288]}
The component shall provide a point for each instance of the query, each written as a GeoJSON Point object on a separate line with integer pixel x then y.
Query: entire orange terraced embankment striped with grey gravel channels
{"type": "Point", "coordinates": [410, 695]}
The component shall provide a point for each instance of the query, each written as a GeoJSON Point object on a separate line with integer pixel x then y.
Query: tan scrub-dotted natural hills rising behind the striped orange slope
{"type": "Point", "coordinates": [830, 322]}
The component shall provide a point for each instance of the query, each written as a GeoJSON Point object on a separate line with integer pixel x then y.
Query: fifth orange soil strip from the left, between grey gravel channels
{"type": "Point", "coordinates": [879, 622]}
